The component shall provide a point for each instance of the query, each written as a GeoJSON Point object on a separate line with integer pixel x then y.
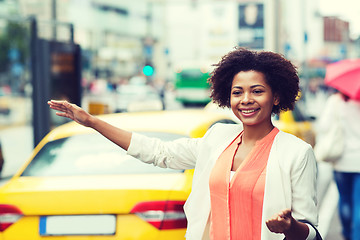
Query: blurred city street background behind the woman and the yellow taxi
{"type": "Point", "coordinates": [90, 52]}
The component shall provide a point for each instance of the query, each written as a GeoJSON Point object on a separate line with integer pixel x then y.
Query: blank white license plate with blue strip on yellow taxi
{"type": "Point", "coordinates": [77, 225]}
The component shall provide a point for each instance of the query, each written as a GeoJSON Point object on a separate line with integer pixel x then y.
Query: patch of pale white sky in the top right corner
{"type": "Point", "coordinates": [348, 10]}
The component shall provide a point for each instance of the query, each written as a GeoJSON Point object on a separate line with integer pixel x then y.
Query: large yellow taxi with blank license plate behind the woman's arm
{"type": "Point", "coordinates": [79, 185]}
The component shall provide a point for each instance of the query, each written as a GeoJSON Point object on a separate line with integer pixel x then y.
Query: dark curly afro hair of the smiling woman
{"type": "Point", "coordinates": [280, 74]}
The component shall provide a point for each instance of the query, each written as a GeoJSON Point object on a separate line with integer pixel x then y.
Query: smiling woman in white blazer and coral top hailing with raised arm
{"type": "Point", "coordinates": [251, 180]}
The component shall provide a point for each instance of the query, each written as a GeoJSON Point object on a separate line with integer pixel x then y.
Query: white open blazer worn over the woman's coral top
{"type": "Point", "coordinates": [290, 175]}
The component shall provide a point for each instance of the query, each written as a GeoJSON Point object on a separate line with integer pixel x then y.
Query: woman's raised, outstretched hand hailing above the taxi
{"type": "Point", "coordinates": [71, 111]}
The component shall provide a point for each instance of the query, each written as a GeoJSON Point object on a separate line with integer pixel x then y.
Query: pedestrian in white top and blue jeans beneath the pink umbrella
{"type": "Point", "coordinates": [339, 107]}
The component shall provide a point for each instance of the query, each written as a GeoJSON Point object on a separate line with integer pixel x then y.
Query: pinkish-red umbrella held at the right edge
{"type": "Point", "coordinates": [344, 76]}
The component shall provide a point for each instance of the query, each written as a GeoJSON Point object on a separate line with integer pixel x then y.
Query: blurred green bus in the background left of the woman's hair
{"type": "Point", "coordinates": [191, 86]}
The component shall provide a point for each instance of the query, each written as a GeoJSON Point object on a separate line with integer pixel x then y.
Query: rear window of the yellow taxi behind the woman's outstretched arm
{"type": "Point", "coordinates": [90, 154]}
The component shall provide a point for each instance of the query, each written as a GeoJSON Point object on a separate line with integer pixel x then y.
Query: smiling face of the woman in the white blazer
{"type": "Point", "coordinates": [252, 99]}
